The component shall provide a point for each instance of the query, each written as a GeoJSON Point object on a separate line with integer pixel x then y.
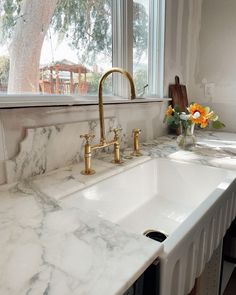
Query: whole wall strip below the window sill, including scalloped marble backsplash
{"type": "Point", "coordinates": [41, 139]}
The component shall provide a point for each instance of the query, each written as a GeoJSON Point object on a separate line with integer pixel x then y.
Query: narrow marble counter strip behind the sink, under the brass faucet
{"type": "Point", "coordinates": [69, 180]}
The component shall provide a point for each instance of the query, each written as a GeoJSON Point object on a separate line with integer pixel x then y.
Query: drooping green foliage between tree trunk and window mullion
{"type": "Point", "coordinates": [86, 25]}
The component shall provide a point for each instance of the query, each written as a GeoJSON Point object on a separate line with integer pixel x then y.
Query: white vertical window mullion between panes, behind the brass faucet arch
{"type": "Point", "coordinates": [122, 52]}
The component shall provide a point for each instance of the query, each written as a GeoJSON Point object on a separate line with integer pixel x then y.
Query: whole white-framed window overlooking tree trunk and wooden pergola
{"type": "Point", "coordinates": [64, 48]}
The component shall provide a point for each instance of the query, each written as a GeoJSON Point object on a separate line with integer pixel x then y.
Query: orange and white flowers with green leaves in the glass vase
{"type": "Point", "coordinates": [195, 115]}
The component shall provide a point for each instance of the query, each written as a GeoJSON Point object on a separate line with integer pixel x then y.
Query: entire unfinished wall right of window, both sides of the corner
{"type": "Point", "coordinates": [200, 48]}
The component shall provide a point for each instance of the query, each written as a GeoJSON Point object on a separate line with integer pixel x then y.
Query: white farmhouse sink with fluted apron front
{"type": "Point", "coordinates": [193, 204]}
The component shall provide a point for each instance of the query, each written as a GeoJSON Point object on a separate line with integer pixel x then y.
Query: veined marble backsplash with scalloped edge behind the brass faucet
{"type": "Point", "coordinates": [51, 147]}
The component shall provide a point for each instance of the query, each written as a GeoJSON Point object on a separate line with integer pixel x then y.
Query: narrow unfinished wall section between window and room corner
{"type": "Point", "coordinates": [181, 39]}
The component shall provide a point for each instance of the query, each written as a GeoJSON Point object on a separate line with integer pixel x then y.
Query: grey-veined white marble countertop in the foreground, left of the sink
{"type": "Point", "coordinates": [47, 250]}
